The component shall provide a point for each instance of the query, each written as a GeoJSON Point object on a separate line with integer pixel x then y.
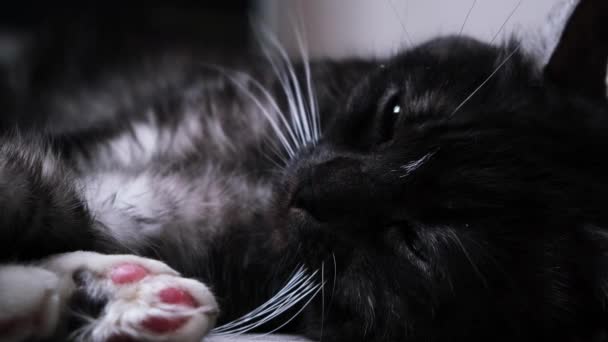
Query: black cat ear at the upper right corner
{"type": "Point", "coordinates": [579, 61]}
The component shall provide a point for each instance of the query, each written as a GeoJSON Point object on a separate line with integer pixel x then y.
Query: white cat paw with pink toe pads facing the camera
{"type": "Point", "coordinates": [128, 298]}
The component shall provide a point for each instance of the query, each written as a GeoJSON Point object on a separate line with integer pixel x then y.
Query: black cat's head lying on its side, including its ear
{"type": "Point", "coordinates": [458, 191]}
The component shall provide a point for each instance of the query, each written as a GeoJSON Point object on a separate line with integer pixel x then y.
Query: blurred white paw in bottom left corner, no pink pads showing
{"type": "Point", "coordinates": [30, 302]}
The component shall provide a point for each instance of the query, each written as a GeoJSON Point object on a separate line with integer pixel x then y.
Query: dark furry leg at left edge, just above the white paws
{"type": "Point", "coordinates": [43, 212]}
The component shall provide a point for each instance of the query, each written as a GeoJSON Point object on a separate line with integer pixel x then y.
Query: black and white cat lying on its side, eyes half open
{"type": "Point", "coordinates": [455, 191]}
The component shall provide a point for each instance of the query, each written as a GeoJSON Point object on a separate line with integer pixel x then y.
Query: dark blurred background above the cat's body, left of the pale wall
{"type": "Point", "coordinates": [42, 45]}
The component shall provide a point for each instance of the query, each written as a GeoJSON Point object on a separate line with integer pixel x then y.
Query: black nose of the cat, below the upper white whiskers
{"type": "Point", "coordinates": [329, 189]}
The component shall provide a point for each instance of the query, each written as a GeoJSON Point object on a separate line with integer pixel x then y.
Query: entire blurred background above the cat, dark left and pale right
{"type": "Point", "coordinates": [45, 44]}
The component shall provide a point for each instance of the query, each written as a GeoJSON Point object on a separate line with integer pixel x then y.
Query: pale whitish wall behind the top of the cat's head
{"type": "Point", "coordinates": [374, 27]}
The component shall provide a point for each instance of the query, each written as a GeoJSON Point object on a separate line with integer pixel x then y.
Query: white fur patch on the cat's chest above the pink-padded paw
{"type": "Point", "coordinates": [133, 207]}
